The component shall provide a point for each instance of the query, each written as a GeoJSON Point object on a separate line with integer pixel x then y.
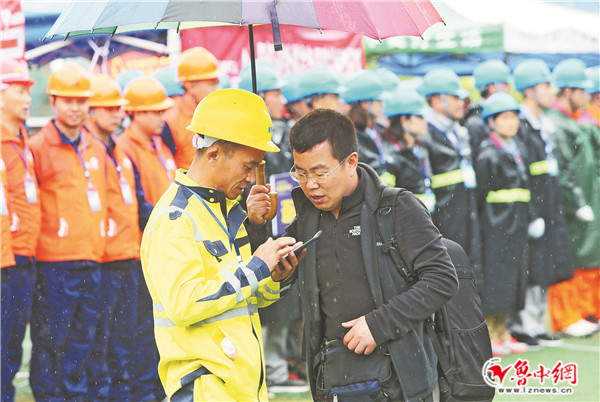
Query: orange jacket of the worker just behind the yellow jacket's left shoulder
{"type": "Point", "coordinates": [153, 160]}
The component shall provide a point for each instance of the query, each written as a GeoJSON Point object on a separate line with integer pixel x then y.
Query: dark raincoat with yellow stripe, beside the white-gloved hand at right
{"type": "Point", "coordinates": [550, 259]}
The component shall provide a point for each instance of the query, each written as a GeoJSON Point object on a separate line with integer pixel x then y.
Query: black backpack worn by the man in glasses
{"type": "Point", "coordinates": [458, 331]}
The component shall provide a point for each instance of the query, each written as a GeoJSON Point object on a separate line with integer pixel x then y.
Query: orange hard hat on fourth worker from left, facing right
{"type": "Point", "coordinates": [146, 94]}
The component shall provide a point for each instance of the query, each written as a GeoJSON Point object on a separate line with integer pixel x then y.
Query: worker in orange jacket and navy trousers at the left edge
{"type": "Point", "coordinates": [21, 227]}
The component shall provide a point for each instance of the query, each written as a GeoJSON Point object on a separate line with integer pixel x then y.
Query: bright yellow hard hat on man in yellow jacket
{"type": "Point", "coordinates": [236, 116]}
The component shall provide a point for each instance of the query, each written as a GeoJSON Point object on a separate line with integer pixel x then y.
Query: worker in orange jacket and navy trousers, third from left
{"type": "Point", "coordinates": [111, 363]}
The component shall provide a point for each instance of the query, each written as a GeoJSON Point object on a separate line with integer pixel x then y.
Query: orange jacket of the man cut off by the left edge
{"type": "Point", "coordinates": [23, 192]}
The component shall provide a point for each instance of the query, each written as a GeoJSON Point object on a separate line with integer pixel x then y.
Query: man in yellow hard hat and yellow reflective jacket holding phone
{"type": "Point", "coordinates": [197, 258]}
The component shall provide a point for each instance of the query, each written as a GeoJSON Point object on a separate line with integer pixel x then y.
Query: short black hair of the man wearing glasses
{"type": "Point", "coordinates": [324, 125]}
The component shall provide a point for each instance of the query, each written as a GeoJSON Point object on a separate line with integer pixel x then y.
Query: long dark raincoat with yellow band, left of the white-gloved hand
{"type": "Point", "coordinates": [503, 199]}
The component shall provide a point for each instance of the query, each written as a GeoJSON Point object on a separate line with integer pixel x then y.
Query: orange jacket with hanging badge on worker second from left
{"type": "Point", "coordinates": [73, 196]}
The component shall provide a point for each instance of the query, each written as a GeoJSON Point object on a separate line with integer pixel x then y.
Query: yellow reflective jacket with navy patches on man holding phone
{"type": "Point", "coordinates": [204, 299]}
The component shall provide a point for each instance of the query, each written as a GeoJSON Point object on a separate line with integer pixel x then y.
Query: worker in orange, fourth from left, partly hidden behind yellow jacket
{"type": "Point", "coordinates": [153, 161]}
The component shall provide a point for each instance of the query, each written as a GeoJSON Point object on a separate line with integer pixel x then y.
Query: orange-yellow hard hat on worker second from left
{"type": "Point", "coordinates": [71, 81]}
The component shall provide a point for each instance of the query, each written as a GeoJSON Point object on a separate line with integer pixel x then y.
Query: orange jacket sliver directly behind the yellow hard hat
{"type": "Point", "coordinates": [178, 118]}
